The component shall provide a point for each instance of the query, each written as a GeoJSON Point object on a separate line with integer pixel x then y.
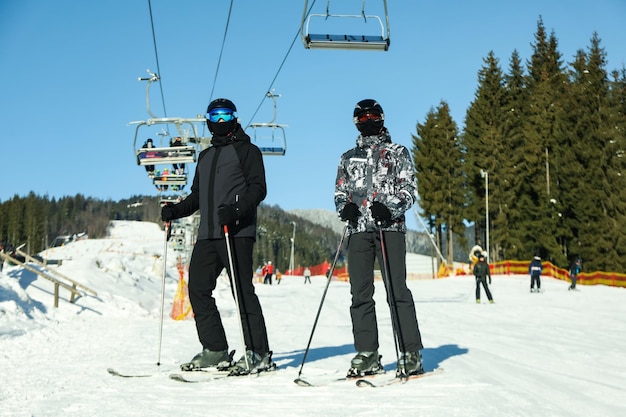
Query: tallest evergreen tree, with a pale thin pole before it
{"type": "Point", "coordinates": [544, 130]}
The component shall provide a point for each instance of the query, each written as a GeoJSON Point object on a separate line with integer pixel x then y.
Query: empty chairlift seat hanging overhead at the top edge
{"type": "Point", "coordinates": [337, 41]}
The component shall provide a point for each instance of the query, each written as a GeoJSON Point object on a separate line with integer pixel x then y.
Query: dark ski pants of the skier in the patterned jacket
{"type": "Point", "coordinates": [363, 249]}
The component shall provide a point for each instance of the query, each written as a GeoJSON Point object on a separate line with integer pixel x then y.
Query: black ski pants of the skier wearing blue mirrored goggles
{"type": "Point", "coordinates": [208, 260]}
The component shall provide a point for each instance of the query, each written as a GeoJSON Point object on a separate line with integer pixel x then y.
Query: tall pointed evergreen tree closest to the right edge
{"type": "Point", "coordinates": [595, 204]}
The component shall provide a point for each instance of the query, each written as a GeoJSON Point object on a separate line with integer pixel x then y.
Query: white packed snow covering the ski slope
{"type": "Point", "coordinates": [558, 353]}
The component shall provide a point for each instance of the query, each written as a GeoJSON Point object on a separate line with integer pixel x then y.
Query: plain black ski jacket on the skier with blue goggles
{"type": "Point", "coordinates": [231, 171]}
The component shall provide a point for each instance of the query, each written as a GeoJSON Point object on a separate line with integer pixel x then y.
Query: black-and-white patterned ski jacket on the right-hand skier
{"type": "Point", "coordinates": [376, 170]}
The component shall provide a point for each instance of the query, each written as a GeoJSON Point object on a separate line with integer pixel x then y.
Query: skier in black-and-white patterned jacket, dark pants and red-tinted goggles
{"type": "Point", "coordinates": [375, 186]}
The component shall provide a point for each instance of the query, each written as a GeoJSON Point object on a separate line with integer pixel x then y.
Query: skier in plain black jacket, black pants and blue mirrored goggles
{"type": "Point", "coordinates": [228, 185]}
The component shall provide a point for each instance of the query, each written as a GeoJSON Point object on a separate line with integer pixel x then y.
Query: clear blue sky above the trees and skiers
{"type": "Point", "coordinates": [69, 69]}
